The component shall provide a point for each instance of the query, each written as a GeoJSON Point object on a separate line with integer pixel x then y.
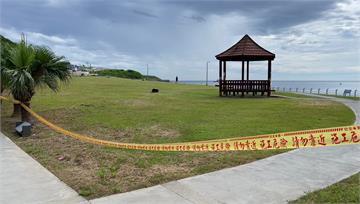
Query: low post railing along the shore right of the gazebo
{"type": "Point", "coordinates": [320, 91]}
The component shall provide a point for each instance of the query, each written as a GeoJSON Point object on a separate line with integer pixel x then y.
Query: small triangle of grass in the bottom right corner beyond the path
{"type": "Point", "coordinates": [345, 191]}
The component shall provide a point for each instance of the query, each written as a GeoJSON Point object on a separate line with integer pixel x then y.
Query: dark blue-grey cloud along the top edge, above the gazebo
{"type": "Point", "coordinates": [269, 16]}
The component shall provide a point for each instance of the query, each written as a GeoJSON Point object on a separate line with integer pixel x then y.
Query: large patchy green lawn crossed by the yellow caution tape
{"type": "Point", "coordinates": [125, 110]}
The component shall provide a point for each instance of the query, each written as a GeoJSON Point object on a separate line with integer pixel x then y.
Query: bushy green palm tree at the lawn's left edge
{"type": "Point", "coordinates": [31, 67]}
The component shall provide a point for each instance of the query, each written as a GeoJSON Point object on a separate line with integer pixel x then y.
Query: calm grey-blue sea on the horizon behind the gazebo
{"type": "Point", "coordinates": [314, 86]}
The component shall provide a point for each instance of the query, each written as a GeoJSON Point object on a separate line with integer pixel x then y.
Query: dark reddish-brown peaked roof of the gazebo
{"type": "Point", "coordinates": [245, 50]}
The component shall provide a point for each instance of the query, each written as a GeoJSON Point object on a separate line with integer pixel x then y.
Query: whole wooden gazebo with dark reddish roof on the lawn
{"type": "Point", "coordinates": [245, 50]}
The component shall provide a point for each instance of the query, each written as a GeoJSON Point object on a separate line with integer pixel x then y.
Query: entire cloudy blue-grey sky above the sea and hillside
{"type": "Point", "coordinates": [312, 40]}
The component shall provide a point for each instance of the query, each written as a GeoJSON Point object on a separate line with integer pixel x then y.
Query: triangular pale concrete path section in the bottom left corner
{"type": "Point", "coordinates": [24, 180]}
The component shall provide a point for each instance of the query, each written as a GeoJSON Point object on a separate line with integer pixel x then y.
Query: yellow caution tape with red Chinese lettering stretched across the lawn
{"type": "Point", "coordinates": [286, 140]}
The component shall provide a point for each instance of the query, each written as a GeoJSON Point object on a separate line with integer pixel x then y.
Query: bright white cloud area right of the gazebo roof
{"type": "Point", "coordinates": [320, 46]}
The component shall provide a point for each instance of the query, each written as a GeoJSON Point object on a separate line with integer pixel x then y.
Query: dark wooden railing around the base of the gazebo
{"type": "Point", "coordinates": [237, 86]}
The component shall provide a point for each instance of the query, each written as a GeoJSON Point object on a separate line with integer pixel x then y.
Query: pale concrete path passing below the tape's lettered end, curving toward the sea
{"type": "Point", "coordinates": [276, 179]}
